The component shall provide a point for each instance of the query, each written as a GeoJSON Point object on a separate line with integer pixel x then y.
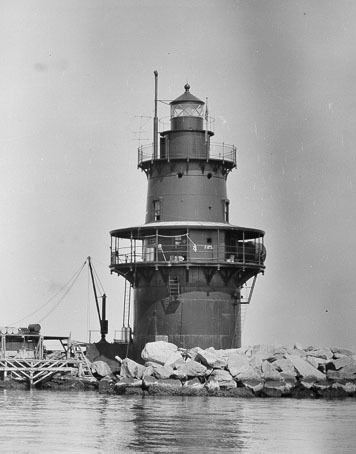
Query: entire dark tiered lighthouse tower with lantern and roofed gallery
{"type": "Point", "coordinates": [187, 264]}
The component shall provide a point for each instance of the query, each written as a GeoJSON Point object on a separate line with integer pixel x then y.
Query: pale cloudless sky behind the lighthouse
{"type": "Point", "coordinates": [77, 89]}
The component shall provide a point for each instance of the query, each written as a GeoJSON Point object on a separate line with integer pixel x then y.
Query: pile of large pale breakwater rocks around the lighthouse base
{"type": "Point", "coordinates": [257, 371]}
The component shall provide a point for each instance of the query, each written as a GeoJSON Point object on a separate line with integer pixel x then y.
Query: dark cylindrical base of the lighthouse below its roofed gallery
{"type": "Point", "coordinates": [195, 318]}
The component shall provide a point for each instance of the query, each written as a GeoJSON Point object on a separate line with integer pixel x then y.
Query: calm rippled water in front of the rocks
{"type": "Point", "coordinates": [87, 422]}
